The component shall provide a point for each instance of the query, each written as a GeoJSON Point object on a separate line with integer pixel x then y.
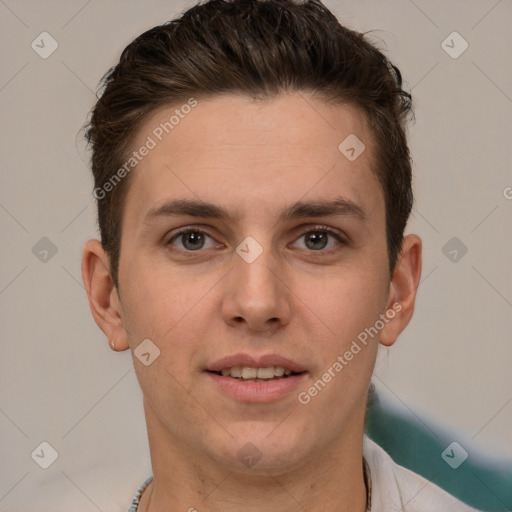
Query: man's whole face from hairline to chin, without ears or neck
{"type": "Point", "coordinates": [251, 241]}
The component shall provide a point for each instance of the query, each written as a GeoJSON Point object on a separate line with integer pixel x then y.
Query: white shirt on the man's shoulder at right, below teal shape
{"type": "Point", "coordinates": [398, 489]}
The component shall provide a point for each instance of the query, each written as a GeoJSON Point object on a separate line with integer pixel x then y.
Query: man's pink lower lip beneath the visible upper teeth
{"type": "Point", "coordinates": [257, 391]}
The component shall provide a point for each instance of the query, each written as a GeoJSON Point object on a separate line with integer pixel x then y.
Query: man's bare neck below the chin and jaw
{"type": "Point", "coordinates": [184, 480]}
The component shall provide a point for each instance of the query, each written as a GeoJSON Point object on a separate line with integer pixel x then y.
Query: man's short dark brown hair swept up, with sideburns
{"type": "Point", "coordinates": [259, 48]}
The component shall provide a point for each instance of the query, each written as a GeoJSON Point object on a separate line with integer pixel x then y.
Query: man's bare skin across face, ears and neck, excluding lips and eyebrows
{"type": "Point", "coordinates": [299, 299]}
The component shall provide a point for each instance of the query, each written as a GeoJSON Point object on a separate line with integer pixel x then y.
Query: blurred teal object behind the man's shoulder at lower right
{"type": "Point", "coordinates": [480, 481]}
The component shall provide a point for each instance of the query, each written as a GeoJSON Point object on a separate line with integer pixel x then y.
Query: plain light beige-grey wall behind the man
{"type": "Point", "coordinates": [60, 381]}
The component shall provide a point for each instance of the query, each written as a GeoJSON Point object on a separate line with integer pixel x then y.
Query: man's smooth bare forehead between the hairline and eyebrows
{"type": "Point", "coordinates": [231, 149]}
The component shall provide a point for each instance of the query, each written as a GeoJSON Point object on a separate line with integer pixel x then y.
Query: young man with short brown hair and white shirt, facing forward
{"type": "Point", "coordinates": [253, 183]}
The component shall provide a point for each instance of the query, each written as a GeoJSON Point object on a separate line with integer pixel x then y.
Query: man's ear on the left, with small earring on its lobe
{"type": "Point", "coordinates": [102, 294]}
